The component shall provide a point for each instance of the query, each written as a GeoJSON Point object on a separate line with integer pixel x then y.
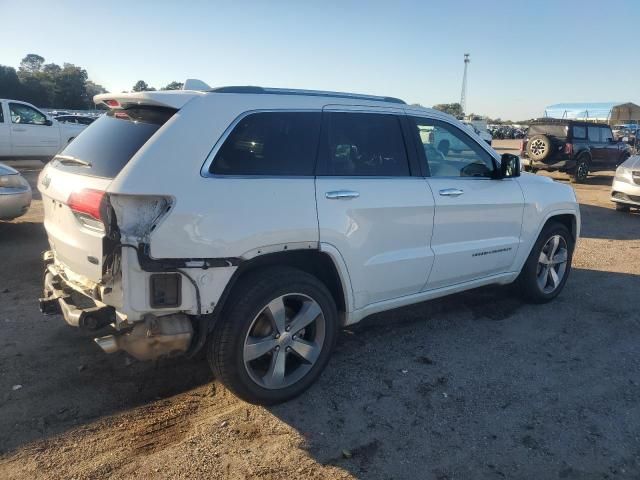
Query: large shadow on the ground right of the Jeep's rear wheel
{"type": "Point", "coordinates": [481, 385]}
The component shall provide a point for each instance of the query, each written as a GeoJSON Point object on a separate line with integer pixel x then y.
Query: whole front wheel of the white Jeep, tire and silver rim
{"type": "Point", "coordinates": [547, 268]}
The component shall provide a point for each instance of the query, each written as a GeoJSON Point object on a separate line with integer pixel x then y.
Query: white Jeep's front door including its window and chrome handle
{"type": "Point", "coordinates": [477, 221]}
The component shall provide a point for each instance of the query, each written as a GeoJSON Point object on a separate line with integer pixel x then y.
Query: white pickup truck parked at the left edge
{"type": "Point", "coordinates": [26, 132]}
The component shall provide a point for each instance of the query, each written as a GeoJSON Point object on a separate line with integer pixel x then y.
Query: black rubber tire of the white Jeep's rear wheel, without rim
{"type": "Point", "coordinates": [249, 297]}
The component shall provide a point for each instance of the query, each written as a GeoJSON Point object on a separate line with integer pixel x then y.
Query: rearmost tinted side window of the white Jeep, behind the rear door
{"type": "Point", "coordinates": [270, 143]}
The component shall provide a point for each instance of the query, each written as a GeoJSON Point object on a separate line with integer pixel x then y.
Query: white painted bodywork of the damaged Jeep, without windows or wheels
{"type": "Point", "coordinates": [398, 242]}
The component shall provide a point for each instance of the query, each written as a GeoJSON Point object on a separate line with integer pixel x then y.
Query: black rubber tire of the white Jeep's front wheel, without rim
{"type": "Point", "coordinates": [527, 282]}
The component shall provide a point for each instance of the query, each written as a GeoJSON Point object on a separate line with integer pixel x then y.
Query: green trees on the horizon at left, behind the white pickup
{"type": "Point", "coordinates": [49, 85]}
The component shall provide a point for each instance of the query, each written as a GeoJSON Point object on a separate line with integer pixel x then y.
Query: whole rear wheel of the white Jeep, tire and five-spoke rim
{"type": "Point", "coordinates": [275, 336]}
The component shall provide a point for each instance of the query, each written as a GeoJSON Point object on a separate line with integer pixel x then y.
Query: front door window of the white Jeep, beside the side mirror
{"type": "Point", "coordinates": [450, 152]}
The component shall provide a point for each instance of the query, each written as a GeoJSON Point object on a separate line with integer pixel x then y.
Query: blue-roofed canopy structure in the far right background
{"type": "Point", "coordinates": [612, 112]}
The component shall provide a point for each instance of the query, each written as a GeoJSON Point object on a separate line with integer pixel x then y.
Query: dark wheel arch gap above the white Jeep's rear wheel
{"type": "Point", "coordinates": [313, 261]}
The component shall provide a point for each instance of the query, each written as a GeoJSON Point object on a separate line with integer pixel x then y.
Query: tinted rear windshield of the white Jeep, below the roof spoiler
{"type": "Point", "coordinates": [107, 145]}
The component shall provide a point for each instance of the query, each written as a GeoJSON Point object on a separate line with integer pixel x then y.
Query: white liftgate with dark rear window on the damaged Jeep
{"type": "Point", "coordinates": [85, 169]}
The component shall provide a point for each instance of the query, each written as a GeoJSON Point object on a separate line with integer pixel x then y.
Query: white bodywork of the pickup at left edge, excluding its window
{"type": "Point", "coordinates": [19, 140]}
